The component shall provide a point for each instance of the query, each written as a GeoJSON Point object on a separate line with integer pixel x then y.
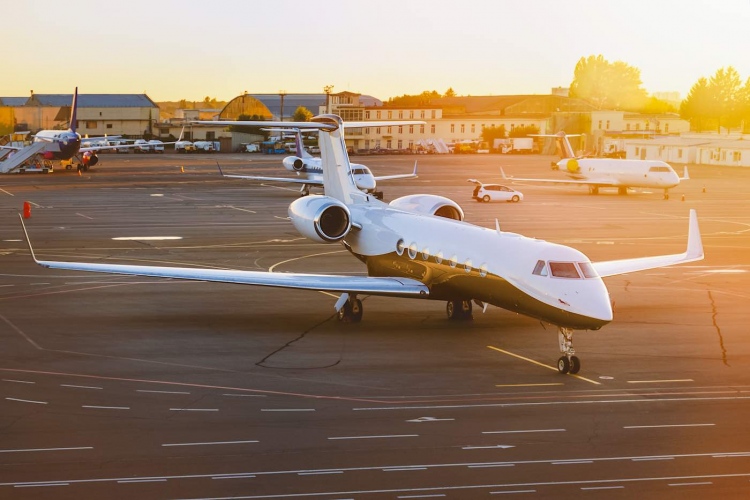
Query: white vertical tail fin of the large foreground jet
{"type": "Point", "coordinates": [338, 181]}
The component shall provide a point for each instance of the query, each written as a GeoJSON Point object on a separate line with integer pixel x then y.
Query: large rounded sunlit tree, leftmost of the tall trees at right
{"type": "Point", "coordinates": [608, 85]}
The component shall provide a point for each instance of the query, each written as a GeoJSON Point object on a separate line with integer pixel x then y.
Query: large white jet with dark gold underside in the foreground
{"type": "Point", "coordinates": [418, 246]}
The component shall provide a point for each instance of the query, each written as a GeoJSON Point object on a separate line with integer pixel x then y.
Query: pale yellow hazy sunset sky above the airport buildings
{"type": "Point", "coordinates": [190, 49]}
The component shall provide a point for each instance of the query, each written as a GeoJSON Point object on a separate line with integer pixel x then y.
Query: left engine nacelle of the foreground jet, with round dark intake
{"type": "Point", "coordinates": [320, 218]}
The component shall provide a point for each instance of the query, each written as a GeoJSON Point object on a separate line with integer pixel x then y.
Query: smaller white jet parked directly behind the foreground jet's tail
{"type": "Point", "coordinates": [309, 169]}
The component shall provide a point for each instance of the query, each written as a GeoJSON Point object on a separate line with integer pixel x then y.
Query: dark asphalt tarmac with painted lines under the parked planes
{"type": "Point", "coordinates": [124, 387]}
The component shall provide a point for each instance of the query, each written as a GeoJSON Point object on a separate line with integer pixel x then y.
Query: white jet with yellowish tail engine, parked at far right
{"type": "Point", "coordinates": [608, 172]}
